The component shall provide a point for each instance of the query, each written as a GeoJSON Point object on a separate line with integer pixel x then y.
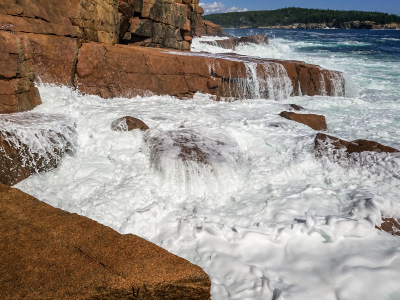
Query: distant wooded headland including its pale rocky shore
{"type": "Point", "coordinates": [304, 18]}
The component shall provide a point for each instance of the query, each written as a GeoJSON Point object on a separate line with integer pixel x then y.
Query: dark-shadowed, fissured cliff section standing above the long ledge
{"type": "Point", "coordinates": [158, 23]}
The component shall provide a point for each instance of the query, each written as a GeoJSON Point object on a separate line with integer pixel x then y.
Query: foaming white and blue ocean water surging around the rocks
{"type": "Point", "coordinates": [264, 218]}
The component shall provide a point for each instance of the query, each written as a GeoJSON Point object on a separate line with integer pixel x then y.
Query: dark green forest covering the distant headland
{"type": "Point", "coordinates": [291, 15]}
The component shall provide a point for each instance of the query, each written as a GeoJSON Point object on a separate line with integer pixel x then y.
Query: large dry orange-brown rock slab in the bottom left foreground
{"type": "Point", "coordinates": [47, 253]}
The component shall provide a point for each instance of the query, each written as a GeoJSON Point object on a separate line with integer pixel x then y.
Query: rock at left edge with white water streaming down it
{"type": "Point", "coordinates": [32, 142]}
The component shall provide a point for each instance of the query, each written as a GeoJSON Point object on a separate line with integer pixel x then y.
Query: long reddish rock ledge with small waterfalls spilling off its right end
{"type": "Point", "coordinates": [127, 71]}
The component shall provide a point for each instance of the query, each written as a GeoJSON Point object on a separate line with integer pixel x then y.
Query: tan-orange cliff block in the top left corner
{"type": "Point", "coordinates": [87, 20]}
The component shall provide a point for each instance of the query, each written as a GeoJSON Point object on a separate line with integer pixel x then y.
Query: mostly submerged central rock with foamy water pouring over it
{"type": "Point", "coordinates": [193, 163]}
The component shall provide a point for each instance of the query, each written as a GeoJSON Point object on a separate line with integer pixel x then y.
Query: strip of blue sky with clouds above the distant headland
{"type": "Point", "coordinates": [388, 6]}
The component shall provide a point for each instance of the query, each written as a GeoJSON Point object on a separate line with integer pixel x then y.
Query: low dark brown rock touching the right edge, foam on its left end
{"type": "Point", "coordinates": [337, 148]}
